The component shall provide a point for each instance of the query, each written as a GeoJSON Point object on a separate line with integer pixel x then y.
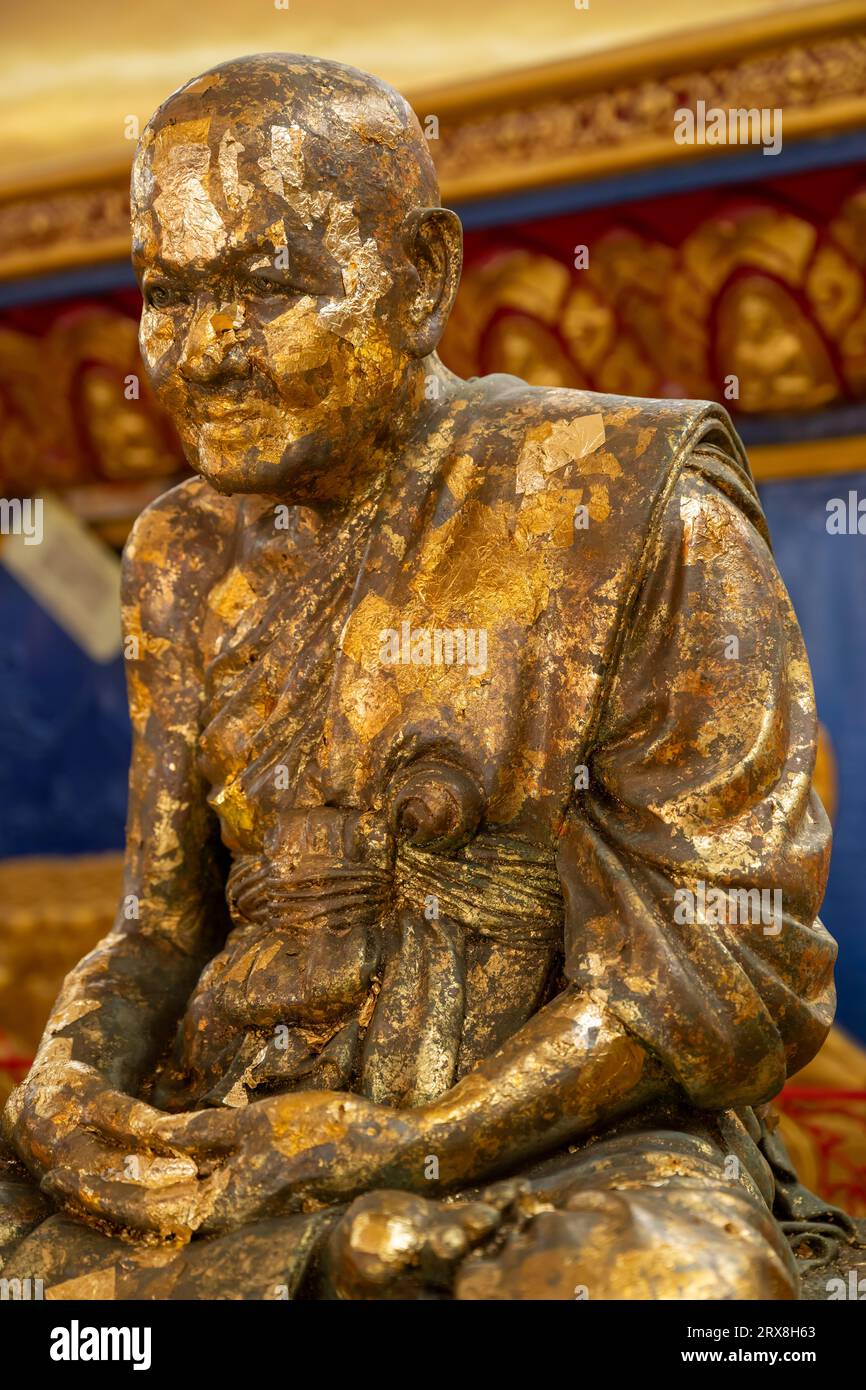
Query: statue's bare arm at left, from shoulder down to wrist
{"type": "Point", "coordinates": [117, 1010]}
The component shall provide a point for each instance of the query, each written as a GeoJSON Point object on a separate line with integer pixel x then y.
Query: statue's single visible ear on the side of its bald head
{"type": "Point", "coordinates": [433, 241]}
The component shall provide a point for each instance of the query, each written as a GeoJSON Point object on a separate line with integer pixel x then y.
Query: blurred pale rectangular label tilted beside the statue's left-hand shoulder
{"type": "Point", "coordinates": [74, 576]}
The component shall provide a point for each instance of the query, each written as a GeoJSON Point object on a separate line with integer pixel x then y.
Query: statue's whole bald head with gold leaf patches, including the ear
{"type": "Point", "coordinates": [287, 229]}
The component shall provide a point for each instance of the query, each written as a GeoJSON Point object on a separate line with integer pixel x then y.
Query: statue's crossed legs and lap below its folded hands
{"type": "Point", "coordinates": [647, 1213]}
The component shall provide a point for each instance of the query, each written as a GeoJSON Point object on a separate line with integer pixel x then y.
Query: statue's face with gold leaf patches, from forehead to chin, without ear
{"type": "Point", "coordinates": [272, 322]}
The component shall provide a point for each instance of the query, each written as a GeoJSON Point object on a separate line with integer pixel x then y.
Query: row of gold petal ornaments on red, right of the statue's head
{"type": "Point", "coordinates": [760, 297]}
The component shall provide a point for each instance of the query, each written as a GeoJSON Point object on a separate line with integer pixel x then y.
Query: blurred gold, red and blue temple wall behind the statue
{"type": "Point", "coordinates": [600, 252]}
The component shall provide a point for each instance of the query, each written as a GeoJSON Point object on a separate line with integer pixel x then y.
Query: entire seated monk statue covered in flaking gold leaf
{"type": "Point", "coordinates": [473, 862]}
